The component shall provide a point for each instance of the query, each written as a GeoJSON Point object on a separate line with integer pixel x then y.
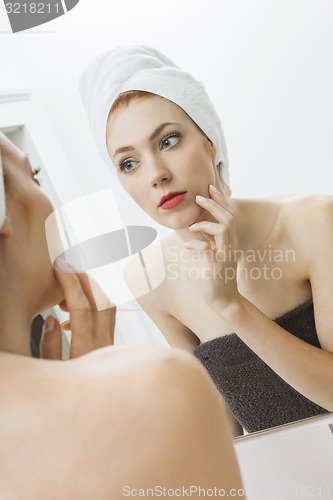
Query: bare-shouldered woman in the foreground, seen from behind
{"type": "Point", "coordinates": [81, 429]}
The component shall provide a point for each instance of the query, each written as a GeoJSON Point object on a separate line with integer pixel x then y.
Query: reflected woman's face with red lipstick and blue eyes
{"type": "Point", "coordinates": [162, 158]}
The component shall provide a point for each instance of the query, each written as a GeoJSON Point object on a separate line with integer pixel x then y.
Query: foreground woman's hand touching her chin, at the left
{"type": "Point", "coordinates": [90, 328]}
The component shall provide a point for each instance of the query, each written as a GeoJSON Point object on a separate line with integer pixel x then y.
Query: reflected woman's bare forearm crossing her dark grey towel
{"type": "Point", "coordinates": [306, 368]}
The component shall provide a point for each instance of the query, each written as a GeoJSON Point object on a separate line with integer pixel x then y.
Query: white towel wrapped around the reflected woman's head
{"type": "Point", "coordinates": [139, 67]}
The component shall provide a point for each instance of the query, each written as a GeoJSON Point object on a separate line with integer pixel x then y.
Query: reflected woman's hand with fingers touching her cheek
{"type": "Point", "coordinates": [219, 252]}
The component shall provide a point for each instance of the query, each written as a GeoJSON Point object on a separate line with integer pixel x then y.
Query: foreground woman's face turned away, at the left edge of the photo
{"type": "Point", "coordinates": [28, 208]}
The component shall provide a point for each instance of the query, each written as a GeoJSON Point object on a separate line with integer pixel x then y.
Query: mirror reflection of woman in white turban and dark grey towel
{"type": "Point", "coordinates": [252, 260]}
